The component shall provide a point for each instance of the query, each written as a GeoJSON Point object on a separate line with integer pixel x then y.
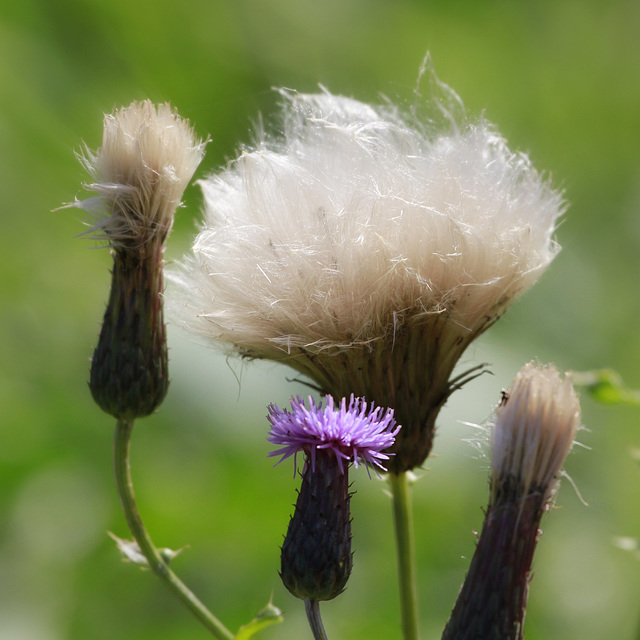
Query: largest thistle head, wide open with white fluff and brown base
{"type": "Point", "coordinates": [366, 248]}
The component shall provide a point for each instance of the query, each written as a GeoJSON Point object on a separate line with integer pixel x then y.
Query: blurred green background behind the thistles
{"type": "Point", "coordinates": [561, 81]}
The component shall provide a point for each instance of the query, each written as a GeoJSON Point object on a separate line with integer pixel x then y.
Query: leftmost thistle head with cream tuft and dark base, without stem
{"type": "Point", "coordinates": [147, 157]}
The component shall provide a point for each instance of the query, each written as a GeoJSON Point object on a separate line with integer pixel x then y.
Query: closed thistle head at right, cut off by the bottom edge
{"type": "Point", "coordinates": [535, 426]}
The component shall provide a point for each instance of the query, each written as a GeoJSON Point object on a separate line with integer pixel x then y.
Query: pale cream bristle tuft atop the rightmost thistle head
{"type": "Point", "coordinates": [535, 427]}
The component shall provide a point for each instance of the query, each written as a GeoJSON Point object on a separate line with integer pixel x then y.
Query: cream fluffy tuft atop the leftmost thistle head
{"type": "Point", "coordinates": [148, 156]}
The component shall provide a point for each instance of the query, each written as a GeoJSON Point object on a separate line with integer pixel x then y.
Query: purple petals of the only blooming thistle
{"type": "Point", "coordinates": [354, 432]}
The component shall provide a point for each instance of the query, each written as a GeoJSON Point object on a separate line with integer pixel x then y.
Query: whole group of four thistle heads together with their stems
{"type": "Point", "coordinates": [366, 247]}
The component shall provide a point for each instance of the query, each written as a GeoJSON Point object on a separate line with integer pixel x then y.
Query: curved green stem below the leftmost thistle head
{"type": "Point", "coordinates": [148, 549]}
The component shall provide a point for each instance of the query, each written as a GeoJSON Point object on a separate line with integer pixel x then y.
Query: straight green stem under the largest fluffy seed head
{"type": "Point", "coordinates": [405, 551]}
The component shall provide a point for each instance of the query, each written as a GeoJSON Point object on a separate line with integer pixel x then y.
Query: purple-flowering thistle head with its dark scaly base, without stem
{"type": "Point", "coordinates": [316, 557]}
